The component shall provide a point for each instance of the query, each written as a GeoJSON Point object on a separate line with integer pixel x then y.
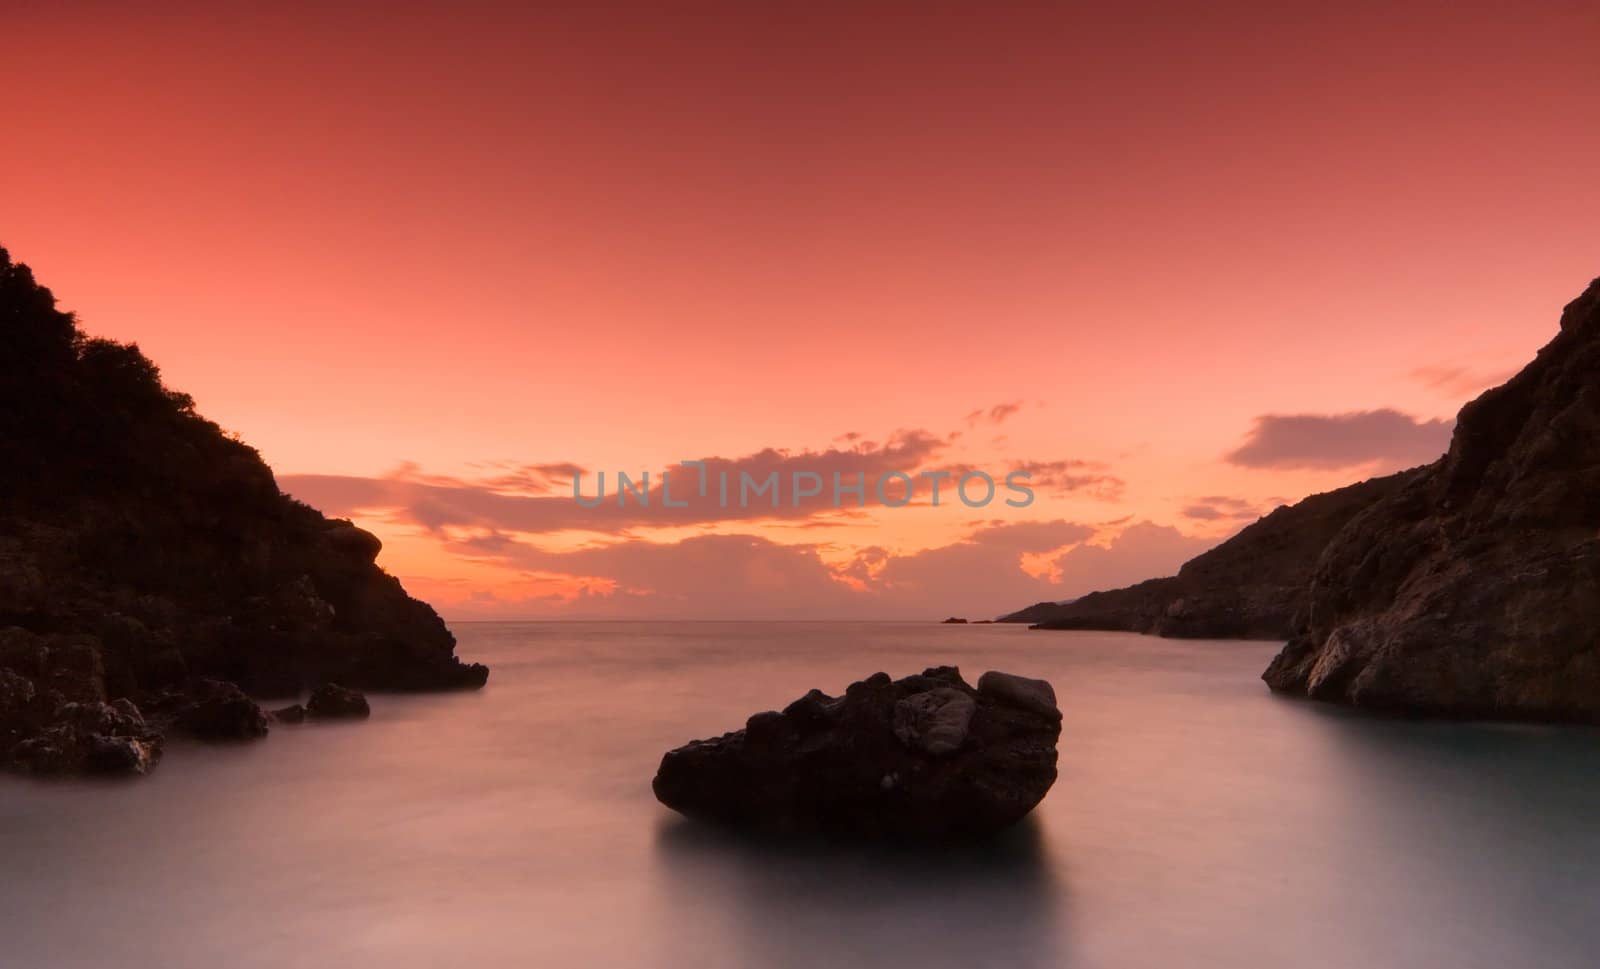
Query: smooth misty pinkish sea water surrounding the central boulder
{"type": "Point", "coordinates": [1198, 823]}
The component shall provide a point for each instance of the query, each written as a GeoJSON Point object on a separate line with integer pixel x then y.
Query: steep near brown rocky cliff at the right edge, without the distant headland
{"type": "Point", "coordinates": [1476, 589]}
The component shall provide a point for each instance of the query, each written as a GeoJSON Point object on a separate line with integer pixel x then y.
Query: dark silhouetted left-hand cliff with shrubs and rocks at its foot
{"type": "Point", "coordinates": [143, 552]}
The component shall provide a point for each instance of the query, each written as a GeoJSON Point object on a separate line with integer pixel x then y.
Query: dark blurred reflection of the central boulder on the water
{"type": "Point", "coordinates": [806, 904]}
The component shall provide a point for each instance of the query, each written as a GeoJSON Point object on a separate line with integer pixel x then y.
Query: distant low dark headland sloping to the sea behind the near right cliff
{"type": "Point", "coordinates": [1252, 588]}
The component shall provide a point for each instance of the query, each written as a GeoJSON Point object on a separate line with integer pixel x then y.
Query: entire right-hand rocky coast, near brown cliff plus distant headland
{"type": "Point", "coordinates": [1463, 589]}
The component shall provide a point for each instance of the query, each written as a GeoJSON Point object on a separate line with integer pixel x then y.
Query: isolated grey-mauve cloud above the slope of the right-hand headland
{"type": "Point", "coordinates": [1329, 442]}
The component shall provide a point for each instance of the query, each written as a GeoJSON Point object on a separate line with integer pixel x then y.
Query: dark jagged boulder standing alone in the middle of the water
{"type": "Point", "coordinates": [921, 759]}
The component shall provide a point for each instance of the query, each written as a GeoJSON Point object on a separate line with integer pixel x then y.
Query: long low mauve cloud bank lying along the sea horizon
{"type": "Point", "coordinates": [750, 578]}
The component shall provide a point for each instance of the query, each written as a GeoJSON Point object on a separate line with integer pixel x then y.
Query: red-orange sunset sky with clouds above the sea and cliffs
{"type": "Point", "coordinates": [1180, 263]}
